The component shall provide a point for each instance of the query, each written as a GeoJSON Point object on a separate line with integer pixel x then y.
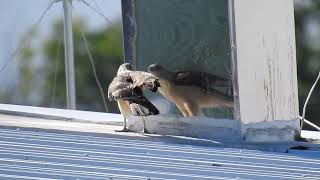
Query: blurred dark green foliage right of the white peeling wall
{"type": "Point", "coordinates": [307, 13]}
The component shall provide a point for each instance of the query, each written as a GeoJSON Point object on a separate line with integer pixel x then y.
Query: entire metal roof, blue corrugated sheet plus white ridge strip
{"type": "Point", "coordinates": [44, 143]}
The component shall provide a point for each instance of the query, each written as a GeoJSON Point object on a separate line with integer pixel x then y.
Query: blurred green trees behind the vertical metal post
{"type": "Point", "coordinates": [106, 48]}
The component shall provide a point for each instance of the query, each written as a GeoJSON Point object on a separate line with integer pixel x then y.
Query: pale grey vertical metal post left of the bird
{"type": "Point", "coordinates": [69, 57]}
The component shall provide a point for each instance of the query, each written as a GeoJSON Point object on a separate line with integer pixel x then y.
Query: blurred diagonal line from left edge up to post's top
{"type": "Point", "coordinates": [23, 44]}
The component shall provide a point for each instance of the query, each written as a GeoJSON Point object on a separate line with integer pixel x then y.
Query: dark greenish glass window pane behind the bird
{"type": "Point", "coordinates": [183, 36]}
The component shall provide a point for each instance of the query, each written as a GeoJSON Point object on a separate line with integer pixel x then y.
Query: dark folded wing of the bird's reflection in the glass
{"type": "Point", "coordinates": [201, 79]}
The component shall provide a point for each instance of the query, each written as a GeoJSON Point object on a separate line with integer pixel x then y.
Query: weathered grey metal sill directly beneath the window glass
{"type": "Point", "coordinates": [224, 130]}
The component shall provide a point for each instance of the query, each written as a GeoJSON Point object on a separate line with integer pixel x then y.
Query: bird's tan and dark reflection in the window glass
{"type": "Point", "coordinates": [190, 90]}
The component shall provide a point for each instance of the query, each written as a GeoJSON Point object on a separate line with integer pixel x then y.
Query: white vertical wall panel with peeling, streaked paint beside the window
{"type": "Point", "coordinates": [266, 60]}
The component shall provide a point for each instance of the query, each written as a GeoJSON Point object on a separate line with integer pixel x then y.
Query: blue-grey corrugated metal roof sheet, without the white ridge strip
{"type": "Point", "coordinates": [27, 154]}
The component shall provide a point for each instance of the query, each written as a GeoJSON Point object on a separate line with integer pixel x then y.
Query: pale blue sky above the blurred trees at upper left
{"type": "Point", "coordinates": [17, 16]}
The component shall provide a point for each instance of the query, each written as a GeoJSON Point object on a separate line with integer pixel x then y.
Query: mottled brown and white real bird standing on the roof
{"type": "Point", "coordinates": [127, 89]}
